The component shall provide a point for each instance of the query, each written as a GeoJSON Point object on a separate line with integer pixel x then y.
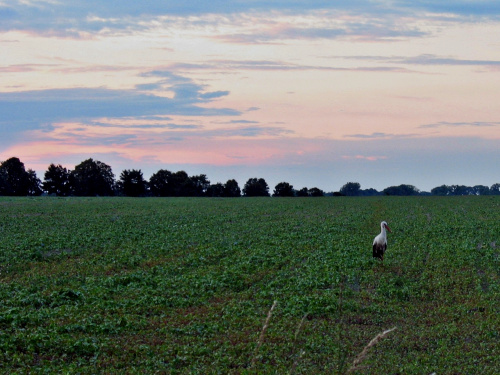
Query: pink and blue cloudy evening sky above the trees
{"type": "Point", "coordinates": [315, 93]}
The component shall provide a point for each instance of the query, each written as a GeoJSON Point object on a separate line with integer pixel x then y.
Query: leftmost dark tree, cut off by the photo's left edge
{"type": "Point", "coordinates": [15, 180]}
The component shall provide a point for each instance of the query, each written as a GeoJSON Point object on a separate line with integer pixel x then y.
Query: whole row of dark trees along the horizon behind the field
{"type": "Point", "coordinates": [95, 178]}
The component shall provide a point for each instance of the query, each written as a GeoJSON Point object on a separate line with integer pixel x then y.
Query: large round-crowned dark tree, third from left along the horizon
{"type": "Point", "coordinates": [92, 178]}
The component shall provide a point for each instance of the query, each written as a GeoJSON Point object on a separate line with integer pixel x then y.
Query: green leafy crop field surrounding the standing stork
{"type": "Point", "coordinates": [184, 285]}
